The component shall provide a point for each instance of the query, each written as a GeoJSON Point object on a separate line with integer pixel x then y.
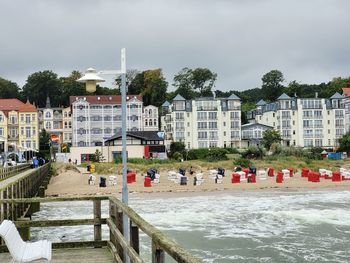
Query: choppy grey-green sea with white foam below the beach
{"type": "Point", "coordinates": [231, 226]}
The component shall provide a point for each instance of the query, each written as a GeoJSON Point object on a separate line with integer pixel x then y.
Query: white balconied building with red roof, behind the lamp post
{"type": "Point", "coordinates": [96, 118]}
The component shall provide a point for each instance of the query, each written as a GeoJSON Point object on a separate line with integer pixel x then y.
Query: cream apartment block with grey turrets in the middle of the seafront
{"type": "Point", "coordinates": [203, 122]}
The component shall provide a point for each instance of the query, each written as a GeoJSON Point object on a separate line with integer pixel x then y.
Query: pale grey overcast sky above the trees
{"type": "Point", "coordinates": [308, 40]}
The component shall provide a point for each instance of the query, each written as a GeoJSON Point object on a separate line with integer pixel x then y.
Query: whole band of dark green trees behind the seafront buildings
{"type": "Point", "coordinates": [152, 85]}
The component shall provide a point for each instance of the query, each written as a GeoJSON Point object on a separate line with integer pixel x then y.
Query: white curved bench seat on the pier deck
{"type": "Point", "coordinates": [20, 250]}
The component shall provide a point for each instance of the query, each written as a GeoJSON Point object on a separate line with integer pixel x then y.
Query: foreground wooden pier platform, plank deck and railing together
{"type": "Point", "coordinates": [98, 250]}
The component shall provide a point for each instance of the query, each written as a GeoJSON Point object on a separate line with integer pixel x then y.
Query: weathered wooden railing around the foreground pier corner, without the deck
{"type": "Point", "coordinates": [161, 244]}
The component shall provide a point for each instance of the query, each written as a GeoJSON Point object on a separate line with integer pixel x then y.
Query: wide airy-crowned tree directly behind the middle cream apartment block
{"type": "Point", "coordinates": [191, 83]}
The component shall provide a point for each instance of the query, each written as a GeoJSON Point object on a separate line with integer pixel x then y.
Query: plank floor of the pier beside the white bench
{"type": "Point", "coordinates": [72, 255]}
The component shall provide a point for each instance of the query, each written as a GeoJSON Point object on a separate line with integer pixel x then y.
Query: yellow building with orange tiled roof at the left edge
{"type": "Point", "coordinates": [19, 126]}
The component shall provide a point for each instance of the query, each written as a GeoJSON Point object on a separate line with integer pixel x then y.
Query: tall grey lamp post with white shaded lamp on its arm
{"type": "Point", "coordinates": [90, 79]}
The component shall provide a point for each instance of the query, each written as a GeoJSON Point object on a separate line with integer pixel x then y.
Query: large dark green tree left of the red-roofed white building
{"type": "Point", "coordinates": [41, 84]}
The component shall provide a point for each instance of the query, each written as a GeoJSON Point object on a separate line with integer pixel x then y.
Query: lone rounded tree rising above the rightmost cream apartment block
{"type": "Point", "coordinates": [271, 84]}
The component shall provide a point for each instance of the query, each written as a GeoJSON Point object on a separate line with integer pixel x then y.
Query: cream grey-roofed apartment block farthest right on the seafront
{"type": "Point", "coordinates": [304, 122]}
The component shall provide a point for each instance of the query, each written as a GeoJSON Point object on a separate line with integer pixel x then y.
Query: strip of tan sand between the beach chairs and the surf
{"type": "Point", "coordinates": [73, 182]}
